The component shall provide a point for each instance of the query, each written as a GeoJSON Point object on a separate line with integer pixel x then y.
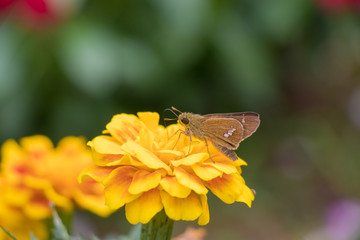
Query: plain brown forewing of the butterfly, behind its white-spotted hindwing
{"type": "Point", "coordinates": [249, 120]}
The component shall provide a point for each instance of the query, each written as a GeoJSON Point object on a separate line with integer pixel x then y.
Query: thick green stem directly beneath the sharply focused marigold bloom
{"type": "Point", "coordinates": [159, 228]}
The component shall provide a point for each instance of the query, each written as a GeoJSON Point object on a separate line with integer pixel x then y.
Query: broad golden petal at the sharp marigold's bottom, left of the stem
{"type": "Point", "coordinates": [144, 208]}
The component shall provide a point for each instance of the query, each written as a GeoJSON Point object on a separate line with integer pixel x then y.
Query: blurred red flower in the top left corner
{"type": "Point", "coordinates": [36, 14]}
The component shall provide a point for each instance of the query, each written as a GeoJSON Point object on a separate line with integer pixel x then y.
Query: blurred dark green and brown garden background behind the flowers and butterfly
{"type": "Point", "coordinates": [66, 67]}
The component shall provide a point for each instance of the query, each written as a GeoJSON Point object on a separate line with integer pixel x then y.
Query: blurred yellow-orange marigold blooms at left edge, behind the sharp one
{"type": "Point", "coordinates": [36, 173]}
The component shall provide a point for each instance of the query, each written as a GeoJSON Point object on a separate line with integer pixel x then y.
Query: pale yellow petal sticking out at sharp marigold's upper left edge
{"type": "Point", "coordinates": [106, 145]}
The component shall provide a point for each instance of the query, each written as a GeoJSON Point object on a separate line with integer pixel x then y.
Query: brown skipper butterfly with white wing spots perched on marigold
{"type": "Point", "coordinates": [224, 130]}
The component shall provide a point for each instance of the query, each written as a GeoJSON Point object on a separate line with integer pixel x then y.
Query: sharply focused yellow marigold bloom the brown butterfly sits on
{"type": "Point", "coordinates": [145, 167]}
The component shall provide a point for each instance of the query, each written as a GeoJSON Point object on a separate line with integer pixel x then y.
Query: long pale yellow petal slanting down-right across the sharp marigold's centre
{"type": "Point", "coordinates": [145, 156]}
